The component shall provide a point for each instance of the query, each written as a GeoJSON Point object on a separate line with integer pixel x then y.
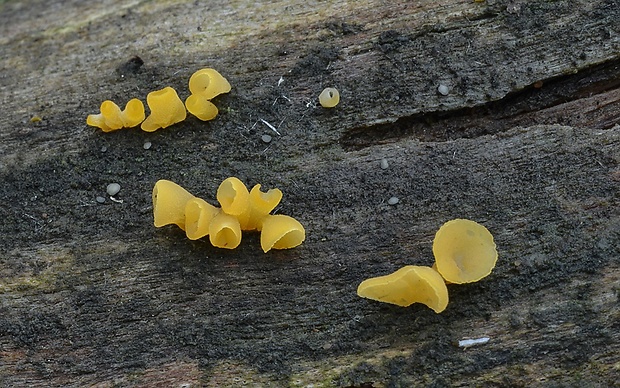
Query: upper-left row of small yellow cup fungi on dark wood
{"type": "Point", "coordinates": [165, 105]}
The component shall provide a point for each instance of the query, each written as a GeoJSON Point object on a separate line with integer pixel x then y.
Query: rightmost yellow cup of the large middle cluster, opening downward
{"type": "Point", "coordinates": [281, 232]}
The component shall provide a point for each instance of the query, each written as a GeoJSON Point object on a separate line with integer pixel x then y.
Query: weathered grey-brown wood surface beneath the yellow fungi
{"type": "Point", "coordinates": [93, 294]}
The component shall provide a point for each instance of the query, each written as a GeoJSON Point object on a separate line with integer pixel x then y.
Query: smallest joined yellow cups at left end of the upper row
{"type": "Point", "coordinates": [112, 117]}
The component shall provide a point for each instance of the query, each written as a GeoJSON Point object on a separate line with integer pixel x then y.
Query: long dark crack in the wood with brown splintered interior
{"type": "Point", "coordinates": [589, 98]}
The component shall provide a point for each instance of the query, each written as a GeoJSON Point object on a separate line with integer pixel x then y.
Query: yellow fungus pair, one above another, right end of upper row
{"type": "Point", "coordinates": [204, 85]}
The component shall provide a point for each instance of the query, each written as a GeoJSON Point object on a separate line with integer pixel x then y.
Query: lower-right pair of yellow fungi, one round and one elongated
{"type": "Point", "coordinates": [464, 253]}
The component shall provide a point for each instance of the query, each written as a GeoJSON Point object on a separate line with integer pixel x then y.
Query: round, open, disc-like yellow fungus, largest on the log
{"type": "Point", "coordinates": [464, 251]}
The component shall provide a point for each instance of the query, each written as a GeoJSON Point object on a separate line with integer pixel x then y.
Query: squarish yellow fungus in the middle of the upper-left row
{"type": "Point", "coordinates": [166, 109]}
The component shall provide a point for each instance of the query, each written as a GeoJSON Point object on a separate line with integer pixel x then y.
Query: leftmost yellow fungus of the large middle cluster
{"type": "Point", "coordinates": [169, 201]}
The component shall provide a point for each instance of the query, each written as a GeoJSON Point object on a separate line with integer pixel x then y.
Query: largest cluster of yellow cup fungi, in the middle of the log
{"type": "Point", "coordinates": [240, 210]}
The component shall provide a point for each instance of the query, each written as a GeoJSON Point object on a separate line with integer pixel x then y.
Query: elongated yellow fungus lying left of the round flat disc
{"type": "Point", "coordinates": [410, 284]}
